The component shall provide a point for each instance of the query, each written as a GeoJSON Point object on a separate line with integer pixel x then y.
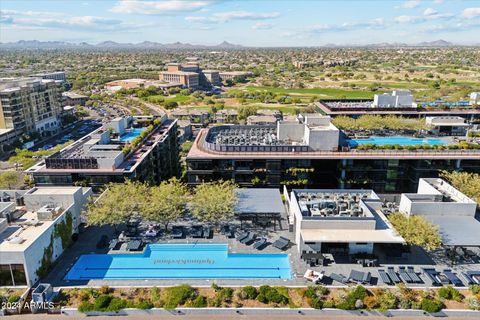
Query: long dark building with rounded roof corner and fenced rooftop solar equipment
{"type": "Point", "coordinates": [313, 153]}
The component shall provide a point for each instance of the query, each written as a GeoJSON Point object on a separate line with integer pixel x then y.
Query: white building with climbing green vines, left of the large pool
{"type": "Point", "coordinates": [36, 225]}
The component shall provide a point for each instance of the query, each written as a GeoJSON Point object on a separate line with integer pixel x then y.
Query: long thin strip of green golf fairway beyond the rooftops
{"type": "Point", "coordinates": [323, 92]}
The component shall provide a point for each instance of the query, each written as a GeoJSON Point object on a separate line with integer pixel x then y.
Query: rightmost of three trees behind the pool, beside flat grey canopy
{"type": "Point", "coordinates": [214, 202]}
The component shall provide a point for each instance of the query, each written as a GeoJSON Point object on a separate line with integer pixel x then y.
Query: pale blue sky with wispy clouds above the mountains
{"type": "Point", "coordinates": [246, 22]}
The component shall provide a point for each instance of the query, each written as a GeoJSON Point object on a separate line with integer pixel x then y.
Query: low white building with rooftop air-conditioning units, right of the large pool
{"type": "Point", "coordinates": [339, 221]}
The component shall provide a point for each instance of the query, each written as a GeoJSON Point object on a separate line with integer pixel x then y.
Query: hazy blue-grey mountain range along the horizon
{"type": "Point", "coordinates": [35, 44]}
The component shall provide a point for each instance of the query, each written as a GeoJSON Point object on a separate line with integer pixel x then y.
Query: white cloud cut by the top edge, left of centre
{"type": "Point", "coordinates": [158, 8]}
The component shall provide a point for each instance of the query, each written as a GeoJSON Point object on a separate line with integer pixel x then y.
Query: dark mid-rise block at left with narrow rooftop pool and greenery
{"type": "Point", "coordinates": [141, 148]}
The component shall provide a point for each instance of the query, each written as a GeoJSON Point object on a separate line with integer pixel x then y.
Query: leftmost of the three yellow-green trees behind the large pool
{"type": "Point", "coordinates": [117, 204]}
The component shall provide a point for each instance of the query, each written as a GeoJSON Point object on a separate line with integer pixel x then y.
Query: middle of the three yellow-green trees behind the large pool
{"type": "Point", "coordinates": [166, 202]}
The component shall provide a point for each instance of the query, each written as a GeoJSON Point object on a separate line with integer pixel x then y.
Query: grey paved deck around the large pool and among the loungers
{"type": "Point", "coordinates": [88, 239]}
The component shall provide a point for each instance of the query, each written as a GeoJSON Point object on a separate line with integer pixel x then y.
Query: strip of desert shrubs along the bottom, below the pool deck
{"type": "Point", "coordinates": [318, 297]}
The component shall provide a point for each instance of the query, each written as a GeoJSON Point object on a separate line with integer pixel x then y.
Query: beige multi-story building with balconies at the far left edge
{"type": "Point", "coordinates": [30, 105]}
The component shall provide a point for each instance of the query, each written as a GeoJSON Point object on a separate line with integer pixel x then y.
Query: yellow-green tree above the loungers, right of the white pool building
{"type": "Point", "coordinates": [416, 230]}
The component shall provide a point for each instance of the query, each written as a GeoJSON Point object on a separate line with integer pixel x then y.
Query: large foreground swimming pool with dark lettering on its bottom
{"type": "Point", "coordinates": [181, 261]}
